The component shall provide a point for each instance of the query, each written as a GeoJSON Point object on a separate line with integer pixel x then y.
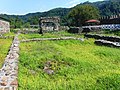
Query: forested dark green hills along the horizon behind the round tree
{"type": "Point", "coordinates": [106, 7]}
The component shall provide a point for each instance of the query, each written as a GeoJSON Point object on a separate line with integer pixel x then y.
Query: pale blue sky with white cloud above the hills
{"type": "Point", "coordinates": [21, 7]}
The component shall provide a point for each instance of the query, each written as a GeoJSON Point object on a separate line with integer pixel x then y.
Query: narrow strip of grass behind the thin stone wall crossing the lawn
{"type": "Point", "coordinates": [48, 35]}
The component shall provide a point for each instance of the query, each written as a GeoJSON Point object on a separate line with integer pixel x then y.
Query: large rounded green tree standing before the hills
{"type": "Point", "coordinates": [78, 15]}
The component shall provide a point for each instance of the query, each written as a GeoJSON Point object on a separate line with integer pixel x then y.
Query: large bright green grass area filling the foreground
{"type": "Point", "coordinates": [77, 66]}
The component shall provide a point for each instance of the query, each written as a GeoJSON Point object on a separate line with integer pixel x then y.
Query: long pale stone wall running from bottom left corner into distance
{"type": "Point", "coordinates": [9, 71]}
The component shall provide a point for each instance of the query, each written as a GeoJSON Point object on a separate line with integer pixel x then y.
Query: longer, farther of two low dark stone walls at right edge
{"type": "Point", "coordinates": [108, 38]}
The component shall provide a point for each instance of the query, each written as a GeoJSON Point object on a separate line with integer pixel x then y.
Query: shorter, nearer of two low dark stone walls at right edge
{"type": "Point", "coordinates": [107, 43]}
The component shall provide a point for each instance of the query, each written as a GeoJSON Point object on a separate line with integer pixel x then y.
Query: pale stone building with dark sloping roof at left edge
{"type": "Point", "coordinates": [4, 25]}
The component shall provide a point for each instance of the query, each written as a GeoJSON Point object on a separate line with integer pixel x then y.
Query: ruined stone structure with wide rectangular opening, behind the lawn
{"type": "Point", "coordinates": [48, 24]}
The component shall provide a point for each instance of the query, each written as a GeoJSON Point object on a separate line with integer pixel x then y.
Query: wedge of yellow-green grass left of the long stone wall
{"type": "Point", "coordinates": [4, 47]}
